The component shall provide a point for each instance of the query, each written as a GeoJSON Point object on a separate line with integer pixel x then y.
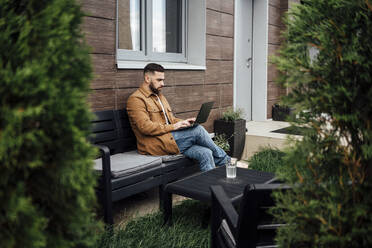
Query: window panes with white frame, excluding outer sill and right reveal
{"type": "Point", "coordinates": [151, 30]}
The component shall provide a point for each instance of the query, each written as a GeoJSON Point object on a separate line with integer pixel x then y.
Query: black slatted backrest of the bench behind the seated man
{"type": "Point", "coordinates": [112, 129]}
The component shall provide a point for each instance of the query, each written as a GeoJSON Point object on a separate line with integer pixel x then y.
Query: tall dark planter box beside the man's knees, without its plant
{"type": "Point", "coordinates": [235, 133]}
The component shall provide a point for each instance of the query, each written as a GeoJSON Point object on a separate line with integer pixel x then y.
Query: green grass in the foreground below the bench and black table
{"type": "Point", "coordinates": [149, 232]}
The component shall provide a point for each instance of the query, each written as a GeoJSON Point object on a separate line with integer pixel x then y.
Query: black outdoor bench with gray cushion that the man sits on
{"type": "Point", "coordinates": [125, 172]}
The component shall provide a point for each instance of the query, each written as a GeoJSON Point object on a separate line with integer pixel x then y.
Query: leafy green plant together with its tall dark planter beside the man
{"type": "Point", "coordinates": [232, 125]}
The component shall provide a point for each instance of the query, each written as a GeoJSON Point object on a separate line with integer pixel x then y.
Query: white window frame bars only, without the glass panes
{"type": "Point", "coordinates": [146, 53]}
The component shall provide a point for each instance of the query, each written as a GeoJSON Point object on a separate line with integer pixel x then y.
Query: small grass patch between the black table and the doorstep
{"type": "Point", "coordinates": [267, 159]}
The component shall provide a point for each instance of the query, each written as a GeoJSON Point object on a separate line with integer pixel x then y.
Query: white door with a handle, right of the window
{"type": "Point", "coordinates": [243, 57]}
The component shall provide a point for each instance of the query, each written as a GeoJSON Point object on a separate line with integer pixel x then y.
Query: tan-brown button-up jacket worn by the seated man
{"type": "Point", "coordinates": [149, 125]}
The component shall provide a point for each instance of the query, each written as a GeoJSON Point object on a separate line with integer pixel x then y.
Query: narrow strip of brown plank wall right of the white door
{"type": "Point", "coordinates": [276, 10]}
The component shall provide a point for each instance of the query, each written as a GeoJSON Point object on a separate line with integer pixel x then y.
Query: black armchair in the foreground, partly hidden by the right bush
{"type": "Point", "coordinates": [253, 226]}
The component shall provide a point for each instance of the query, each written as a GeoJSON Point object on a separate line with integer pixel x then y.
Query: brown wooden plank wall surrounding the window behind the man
{"type": "Point", "coordinates": [185, 90]}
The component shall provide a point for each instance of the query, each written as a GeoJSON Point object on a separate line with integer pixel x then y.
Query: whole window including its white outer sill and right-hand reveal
{"type": "Point", "coordinates": [170, 32]}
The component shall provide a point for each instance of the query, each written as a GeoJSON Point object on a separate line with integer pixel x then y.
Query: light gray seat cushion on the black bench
{"type": "Point", "coordinates": [128, 163]}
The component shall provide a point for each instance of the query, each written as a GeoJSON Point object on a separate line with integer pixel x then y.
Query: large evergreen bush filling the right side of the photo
{"type": "Point", "coordinates": [330, 168]}
